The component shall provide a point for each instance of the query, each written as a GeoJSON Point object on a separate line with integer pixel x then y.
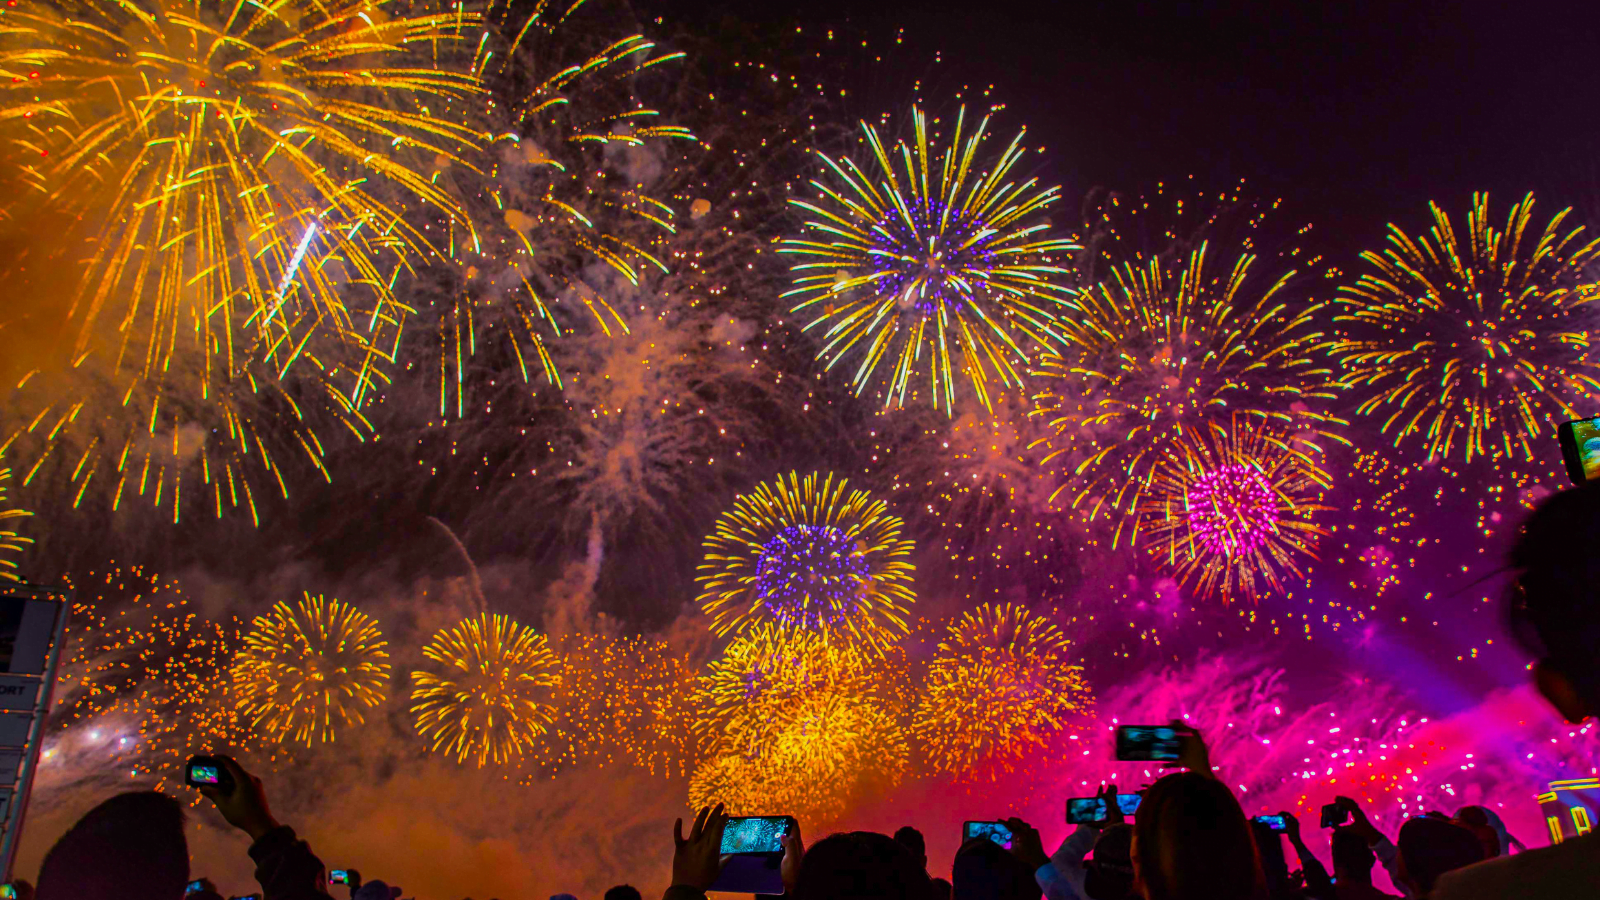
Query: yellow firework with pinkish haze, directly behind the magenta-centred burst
{"type": "Point", "coordinates": [1174, 339]}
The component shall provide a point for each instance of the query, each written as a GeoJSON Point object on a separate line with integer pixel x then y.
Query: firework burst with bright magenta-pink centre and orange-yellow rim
{"type": "Point", "coordinates": [1230, 510]}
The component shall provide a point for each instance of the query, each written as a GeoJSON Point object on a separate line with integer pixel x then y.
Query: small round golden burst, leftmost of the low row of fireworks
{"type": "Point", "coordinates": [311, 670]}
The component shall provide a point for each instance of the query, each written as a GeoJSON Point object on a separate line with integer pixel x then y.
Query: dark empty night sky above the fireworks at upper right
{"type": "Point", "coordinates": [1354, 113]}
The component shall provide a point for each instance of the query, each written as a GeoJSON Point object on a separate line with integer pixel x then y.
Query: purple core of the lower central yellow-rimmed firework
{"type": "Point", "coordinates": [812, 576]}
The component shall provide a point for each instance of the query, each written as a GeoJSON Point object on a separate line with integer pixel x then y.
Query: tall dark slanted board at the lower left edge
{"type": "Point", "coordinates": [33, 624]}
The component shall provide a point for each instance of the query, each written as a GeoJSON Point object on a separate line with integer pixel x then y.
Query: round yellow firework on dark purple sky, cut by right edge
{"type": "Point", "coordinates": [1474, 344]}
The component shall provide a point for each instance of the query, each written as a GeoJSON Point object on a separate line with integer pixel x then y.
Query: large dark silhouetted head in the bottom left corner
{"type": "Point", "coordinates": [129, 848]}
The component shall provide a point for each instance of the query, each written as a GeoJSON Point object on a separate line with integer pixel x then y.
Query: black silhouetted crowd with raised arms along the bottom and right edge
{"type": "Point", "coordinates": [1190, 838]}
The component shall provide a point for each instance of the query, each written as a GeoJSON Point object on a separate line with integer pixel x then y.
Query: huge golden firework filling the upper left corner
{"type": "Point", "coordinates": [250, 180]}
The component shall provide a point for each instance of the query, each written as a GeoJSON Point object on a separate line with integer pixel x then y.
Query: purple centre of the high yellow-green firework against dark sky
{"type": "Point", "coordinates": [934, 259]}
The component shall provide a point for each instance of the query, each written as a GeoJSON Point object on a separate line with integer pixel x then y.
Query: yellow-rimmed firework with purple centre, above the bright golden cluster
{"type": "Point", "coordinates": [809, 555]}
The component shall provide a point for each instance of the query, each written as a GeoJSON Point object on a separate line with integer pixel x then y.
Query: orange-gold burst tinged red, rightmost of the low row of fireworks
{"type": "Point", "coordinates": [1002, 683]}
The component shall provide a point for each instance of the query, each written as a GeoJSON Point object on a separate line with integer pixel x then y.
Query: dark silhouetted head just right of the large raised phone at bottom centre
{"type": "Point", "coordinates": [860, 866]}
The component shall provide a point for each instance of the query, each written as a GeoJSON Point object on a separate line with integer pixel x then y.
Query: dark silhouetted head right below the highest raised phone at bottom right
{"type": "Point", "coordinates": [1191, 842]}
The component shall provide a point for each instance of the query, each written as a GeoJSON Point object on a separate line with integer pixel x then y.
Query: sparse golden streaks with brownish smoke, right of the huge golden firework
{"type": "Point", "coordinates": [577, 230]}
